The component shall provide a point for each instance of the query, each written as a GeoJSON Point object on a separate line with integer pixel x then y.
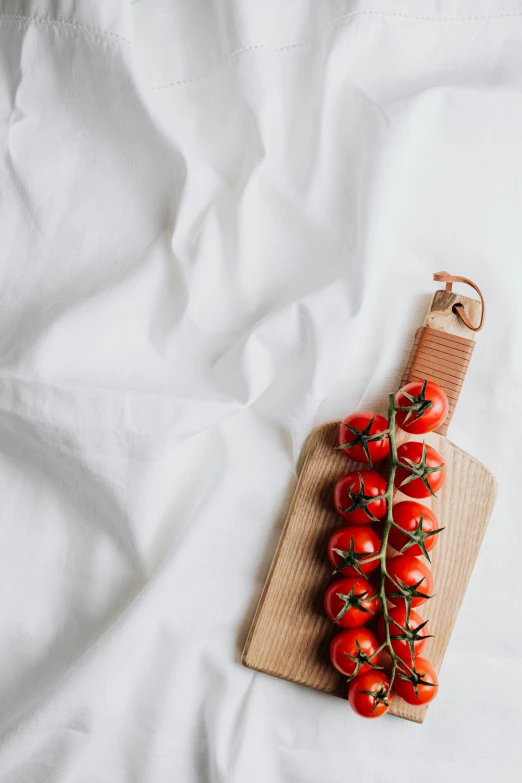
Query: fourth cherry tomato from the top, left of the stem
{"type": "Point", "coordinates": [350, 602]}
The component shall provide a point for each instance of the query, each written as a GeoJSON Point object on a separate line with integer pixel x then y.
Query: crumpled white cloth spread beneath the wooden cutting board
{"type": "Point", "coordinates": [218, 226]}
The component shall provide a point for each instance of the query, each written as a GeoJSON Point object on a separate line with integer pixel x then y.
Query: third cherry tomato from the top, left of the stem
{"type": "Point", "coordinates": [348, 547]}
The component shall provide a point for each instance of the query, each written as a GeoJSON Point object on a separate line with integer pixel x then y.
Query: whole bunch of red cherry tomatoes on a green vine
{"type": "Point", "coordinates": [368, 582]}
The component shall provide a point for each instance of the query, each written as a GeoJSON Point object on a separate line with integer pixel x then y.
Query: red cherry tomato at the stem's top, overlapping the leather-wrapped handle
{"type": "Point", "coordinates": [427, 407]}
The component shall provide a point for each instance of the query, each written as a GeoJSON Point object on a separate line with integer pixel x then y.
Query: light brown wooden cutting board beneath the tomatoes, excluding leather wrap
{"type": "Point", "coordinates": [290, 633]}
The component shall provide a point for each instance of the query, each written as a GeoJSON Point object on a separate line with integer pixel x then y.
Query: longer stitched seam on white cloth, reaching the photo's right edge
{"type": "Point", "coordinates": [333, 23]}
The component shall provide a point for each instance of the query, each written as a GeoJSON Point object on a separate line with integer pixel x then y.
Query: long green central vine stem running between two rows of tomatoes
{"type": "Point", "coordinates": [394, 463]}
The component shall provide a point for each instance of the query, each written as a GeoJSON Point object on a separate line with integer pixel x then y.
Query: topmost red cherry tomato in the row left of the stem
{"type": "Point", "coordinates": [359, 437]}
